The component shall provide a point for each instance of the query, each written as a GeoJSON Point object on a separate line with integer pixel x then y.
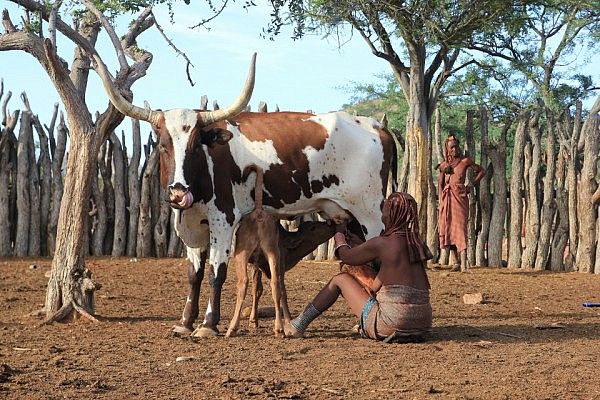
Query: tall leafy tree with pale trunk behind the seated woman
{"type": "Point", "coordinates": [430, 33]}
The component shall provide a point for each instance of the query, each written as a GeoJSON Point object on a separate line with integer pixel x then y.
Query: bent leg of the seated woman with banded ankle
{"type": "Point", "coordinates": [343, 284]}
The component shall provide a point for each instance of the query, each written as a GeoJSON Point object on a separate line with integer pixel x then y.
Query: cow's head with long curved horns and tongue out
{"type": "Point", "coordinates": [181, 133]}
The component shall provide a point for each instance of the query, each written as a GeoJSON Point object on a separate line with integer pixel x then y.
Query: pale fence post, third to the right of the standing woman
{"type": "Point", "coordinates": [516, 188]}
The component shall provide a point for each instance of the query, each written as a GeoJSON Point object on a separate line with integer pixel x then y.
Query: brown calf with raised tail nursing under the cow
{"type": "Point", "coordinates": [261, 240]}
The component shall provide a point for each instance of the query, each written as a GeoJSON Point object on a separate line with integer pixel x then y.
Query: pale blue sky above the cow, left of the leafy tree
{"type": "Point", "coordinates": [307, 74]}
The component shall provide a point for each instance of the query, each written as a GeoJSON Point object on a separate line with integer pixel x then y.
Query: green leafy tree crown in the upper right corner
{"type": "Point", "coordinates": [545, 49]}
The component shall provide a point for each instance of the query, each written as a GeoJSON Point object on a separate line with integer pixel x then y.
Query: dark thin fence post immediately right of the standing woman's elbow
{"type": "Point", "coordinates": [485, 197]}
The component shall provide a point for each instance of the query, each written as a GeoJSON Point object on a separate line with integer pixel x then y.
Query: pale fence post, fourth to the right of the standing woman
{"type": "Point", "coordinates": [532, 230]}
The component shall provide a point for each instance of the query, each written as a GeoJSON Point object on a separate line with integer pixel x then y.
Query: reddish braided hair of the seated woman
{"type": "Point", "coordinates": [400, 210]}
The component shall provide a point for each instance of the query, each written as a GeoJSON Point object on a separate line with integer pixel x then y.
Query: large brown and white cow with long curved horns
{"type": "Point", "coordinates": [332, 163]}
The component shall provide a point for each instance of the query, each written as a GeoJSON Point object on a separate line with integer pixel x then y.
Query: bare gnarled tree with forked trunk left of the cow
{"type": "Point", "coordinates": [70, 288]}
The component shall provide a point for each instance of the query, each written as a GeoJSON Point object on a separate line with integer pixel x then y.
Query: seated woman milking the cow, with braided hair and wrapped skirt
{"type": "Point", "coordinates": [396, 305]}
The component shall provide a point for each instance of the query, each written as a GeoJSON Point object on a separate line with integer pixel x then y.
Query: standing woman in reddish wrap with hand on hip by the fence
{"type": "Point", "coordinates": [454, 201]}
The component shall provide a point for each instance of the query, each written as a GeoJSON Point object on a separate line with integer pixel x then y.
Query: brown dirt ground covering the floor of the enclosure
{"type": "Point", "coordinates": [531, 339]}
